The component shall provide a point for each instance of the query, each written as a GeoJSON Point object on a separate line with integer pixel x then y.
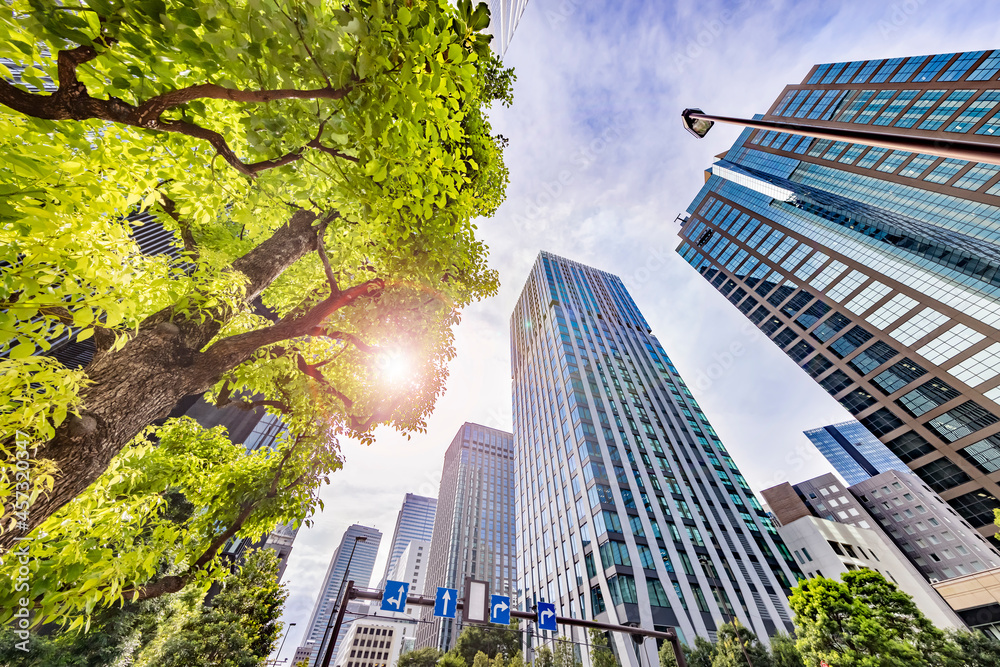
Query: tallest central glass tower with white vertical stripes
{"type": "Point", "coordinates": [629, 508]}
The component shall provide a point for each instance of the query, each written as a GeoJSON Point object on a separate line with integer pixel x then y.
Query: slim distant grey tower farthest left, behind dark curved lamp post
{"type": "Point", "coordinates": [353, 560]}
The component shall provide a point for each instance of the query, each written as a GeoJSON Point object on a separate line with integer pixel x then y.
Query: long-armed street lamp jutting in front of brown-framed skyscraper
{"type": "Point", "coordinates": [699, 123]}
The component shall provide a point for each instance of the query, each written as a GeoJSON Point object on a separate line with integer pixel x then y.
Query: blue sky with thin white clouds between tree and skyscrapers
{"type": "Point", "coordinates": [600, 167]}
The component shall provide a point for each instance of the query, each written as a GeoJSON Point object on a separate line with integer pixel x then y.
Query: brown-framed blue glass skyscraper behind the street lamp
{"type": "Point", "coordinates": [877, 271]}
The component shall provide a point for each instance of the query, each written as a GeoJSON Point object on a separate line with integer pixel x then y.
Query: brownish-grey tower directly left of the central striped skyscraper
{"type": "Point", "coordinates": [474, 525]}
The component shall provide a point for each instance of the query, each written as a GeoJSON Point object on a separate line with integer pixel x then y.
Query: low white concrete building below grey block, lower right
{"type": "Point", "coordinates": [828, 549]}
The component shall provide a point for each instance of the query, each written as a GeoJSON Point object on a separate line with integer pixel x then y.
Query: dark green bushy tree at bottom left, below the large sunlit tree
{"type": "Point", "coordinates": [238, 628]}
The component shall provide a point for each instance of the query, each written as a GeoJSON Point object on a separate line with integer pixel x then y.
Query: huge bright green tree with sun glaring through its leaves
{"type": "Point", "coordinates": [322, 163]}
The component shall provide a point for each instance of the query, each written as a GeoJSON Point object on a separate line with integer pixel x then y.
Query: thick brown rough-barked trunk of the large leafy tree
{"type": "Point", "coordinates": [163, 363]}
